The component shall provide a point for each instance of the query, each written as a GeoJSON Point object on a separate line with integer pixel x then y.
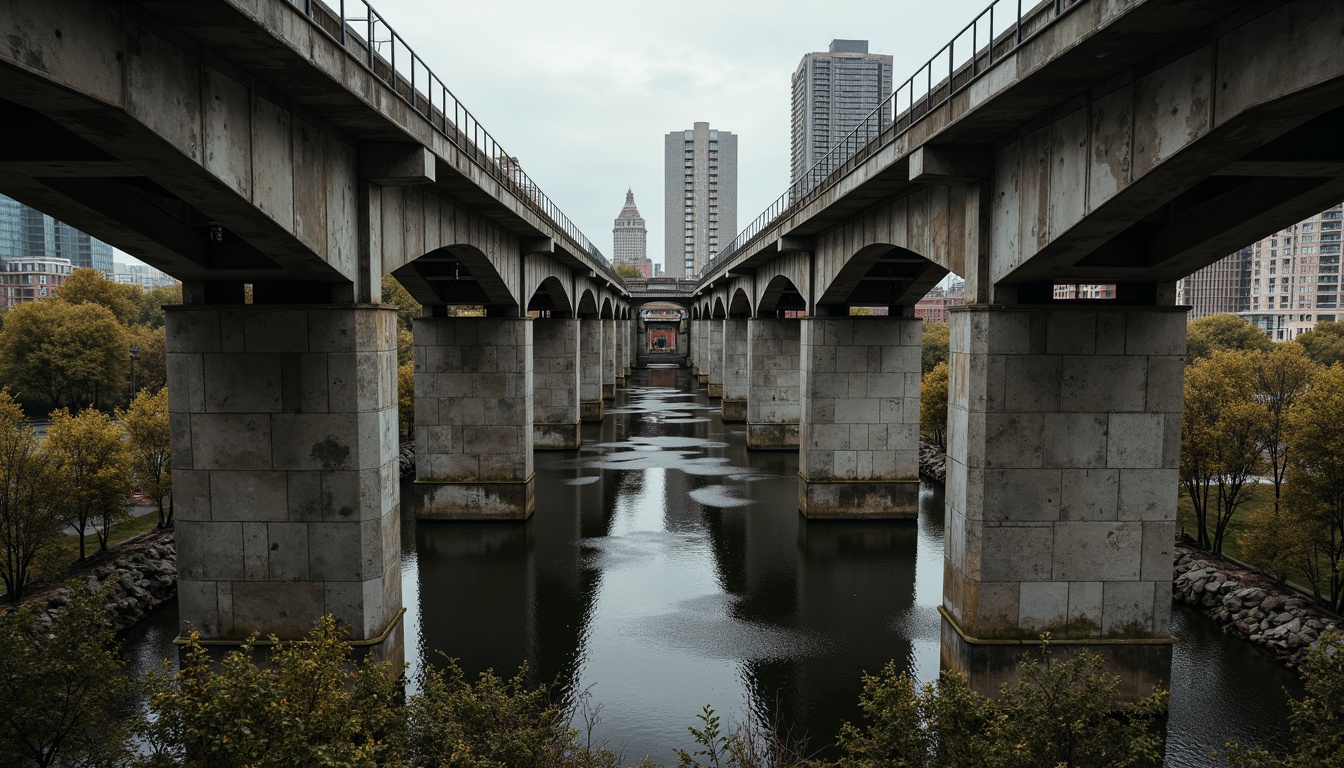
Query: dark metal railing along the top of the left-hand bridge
{"type": "Point", "coordinates": [370, 40]}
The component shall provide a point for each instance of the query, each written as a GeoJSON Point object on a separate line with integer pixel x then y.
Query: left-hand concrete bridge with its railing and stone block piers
{"type": "Point", "coordinates": [278, 146]}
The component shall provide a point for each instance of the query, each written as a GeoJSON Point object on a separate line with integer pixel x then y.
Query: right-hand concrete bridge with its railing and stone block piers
{"type": "Point", "coordinates": [1084, 142]}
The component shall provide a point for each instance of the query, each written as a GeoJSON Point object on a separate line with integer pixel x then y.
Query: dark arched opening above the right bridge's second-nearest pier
{"type": "Point", "coordinates": [881, 275]}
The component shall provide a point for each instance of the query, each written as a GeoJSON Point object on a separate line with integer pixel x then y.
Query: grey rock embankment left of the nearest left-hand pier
{"type": "Point", "coordinates": [147, 578]}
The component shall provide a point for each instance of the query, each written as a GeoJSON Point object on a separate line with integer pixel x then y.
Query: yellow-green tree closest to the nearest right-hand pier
{"type": "Point", "coordinates": [1222, 439]}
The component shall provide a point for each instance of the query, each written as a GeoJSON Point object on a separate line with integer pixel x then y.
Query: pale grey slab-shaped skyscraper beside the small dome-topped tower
{"type": "Point", "coordinates": [700, 197]}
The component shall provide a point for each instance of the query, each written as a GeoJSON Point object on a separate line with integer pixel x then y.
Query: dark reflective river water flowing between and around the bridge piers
{"type": "Point", "coordinates": [667, 568]}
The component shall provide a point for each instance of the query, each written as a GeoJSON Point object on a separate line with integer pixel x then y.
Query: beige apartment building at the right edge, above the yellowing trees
{"type": "Point", "coordinates": [1295, 276]}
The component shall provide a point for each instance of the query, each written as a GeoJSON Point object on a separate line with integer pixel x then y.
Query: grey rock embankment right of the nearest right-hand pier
{"type": "Point", "coordinates": [1247, 603]}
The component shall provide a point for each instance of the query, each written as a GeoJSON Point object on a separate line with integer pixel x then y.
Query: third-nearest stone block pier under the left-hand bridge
{"type": "Point", "coordinates": [556, 384]}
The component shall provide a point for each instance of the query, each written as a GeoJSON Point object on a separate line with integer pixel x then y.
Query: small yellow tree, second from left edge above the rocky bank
{"type": "Point", "coordinates": [92, 470]}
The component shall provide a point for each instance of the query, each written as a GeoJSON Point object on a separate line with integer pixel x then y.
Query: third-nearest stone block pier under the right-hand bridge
{"type": "Point", "coordinates": [773, 400]}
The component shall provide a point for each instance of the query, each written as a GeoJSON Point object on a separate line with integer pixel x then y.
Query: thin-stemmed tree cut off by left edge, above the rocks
{"type": "Point", "coordinates": [29, 517]}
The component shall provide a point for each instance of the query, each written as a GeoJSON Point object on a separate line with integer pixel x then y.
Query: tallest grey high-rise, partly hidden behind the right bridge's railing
{"type": "Point", "coordinates": [835, 92]}
